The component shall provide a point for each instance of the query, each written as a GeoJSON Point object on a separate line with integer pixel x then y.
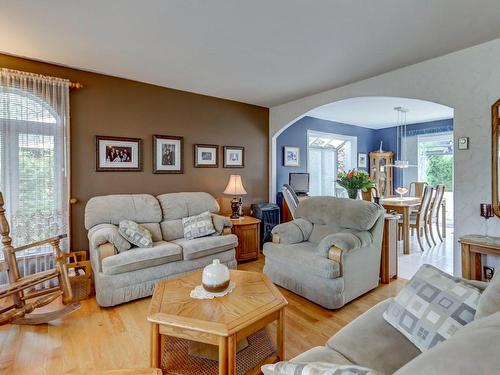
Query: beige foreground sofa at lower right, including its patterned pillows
{"type": "Point", "coordinates": [378, 347]}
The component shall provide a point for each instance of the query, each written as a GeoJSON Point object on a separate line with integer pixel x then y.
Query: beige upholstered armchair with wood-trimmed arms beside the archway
{"type": "Point", "coordinates": [330, 253]}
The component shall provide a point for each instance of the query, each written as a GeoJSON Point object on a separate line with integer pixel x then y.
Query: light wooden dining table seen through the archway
{"type": "Point", "coordinates": [405, 206]}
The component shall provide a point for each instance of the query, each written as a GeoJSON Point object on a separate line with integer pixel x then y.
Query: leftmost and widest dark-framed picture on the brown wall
{"type": "Point", "coordinates": [116, 154]}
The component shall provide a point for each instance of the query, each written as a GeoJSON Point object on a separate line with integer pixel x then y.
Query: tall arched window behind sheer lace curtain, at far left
{"type": "Point", "coordinates": [32, 167]}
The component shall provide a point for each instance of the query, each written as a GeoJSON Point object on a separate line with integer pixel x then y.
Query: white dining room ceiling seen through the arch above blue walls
{"type": "Point", "coordinates": [378, 112]}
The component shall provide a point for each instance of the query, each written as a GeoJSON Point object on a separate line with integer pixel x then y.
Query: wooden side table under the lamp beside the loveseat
{"type": "Point", "coordinates": [247, 229]}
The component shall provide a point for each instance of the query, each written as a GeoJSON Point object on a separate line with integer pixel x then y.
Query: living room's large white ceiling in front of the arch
{"type": "Point", "coordinates": [260, 51]}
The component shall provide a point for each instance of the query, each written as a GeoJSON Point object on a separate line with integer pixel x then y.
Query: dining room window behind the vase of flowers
{"type": "Point", "coordinates": [327, 155]}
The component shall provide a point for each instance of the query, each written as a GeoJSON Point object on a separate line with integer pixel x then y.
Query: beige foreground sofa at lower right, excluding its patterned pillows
{"type": "Point", "coordinates": [369, 341]}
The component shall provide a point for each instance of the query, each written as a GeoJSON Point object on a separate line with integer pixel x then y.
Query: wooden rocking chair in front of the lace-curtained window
{"type": "Point", "coordinates": [20, 289]}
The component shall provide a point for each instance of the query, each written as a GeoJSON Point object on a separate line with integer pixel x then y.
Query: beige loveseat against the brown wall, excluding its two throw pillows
{"type": "Point", "coordinates": [128, 275]}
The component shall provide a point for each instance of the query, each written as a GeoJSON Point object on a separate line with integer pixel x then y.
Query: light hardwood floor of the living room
{"type": "Point", "coordinates": [95, 338]}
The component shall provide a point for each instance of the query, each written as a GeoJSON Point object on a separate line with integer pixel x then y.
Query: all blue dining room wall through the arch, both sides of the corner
{"type": "Point", "coordinates": [368, 140]}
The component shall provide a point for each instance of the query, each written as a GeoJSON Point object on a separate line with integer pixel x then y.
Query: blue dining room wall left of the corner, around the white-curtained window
{"type": "Point", "coordinates": [296, 135]}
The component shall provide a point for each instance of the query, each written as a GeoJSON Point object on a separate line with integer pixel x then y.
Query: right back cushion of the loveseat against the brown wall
{"type": "Point", "coordinates": [180, 205]}
